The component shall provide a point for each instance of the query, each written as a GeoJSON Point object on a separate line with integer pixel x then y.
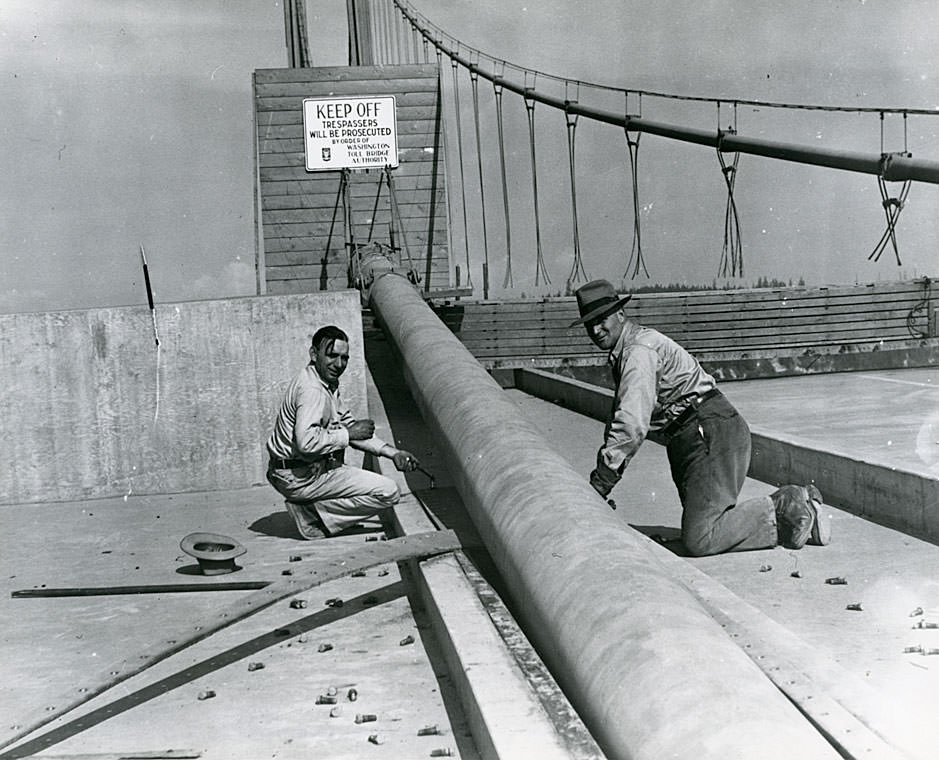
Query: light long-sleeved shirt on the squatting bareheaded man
{"type": "Point", "coordinates": [312, 422]}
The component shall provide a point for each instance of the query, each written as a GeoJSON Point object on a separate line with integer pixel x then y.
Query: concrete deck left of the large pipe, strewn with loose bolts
{"type": "Point", "coordinates": [50, 644]}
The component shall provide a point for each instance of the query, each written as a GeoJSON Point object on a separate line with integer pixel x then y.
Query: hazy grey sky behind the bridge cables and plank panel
{"type": "Point", "coordinates": [129, 123]}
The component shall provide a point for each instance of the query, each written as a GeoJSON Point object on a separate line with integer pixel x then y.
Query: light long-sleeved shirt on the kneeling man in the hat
{"type": "Point", "coordinates": [655, 381]}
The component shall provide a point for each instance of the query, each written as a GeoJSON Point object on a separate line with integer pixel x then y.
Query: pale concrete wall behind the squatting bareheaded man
{"type": "Point", "coordinates": [90, 407]}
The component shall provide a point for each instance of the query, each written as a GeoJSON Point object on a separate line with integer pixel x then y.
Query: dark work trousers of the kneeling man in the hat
{"type": "Point", "coordinates": [709, 457]}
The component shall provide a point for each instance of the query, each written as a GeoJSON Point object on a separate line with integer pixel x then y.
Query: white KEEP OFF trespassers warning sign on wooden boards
{"type": "Point", "coordinates": [350, 133]}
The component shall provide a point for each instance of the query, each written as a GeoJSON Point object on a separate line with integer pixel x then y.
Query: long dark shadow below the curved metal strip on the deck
{"type": "Point", "coordinates": [258, 644]}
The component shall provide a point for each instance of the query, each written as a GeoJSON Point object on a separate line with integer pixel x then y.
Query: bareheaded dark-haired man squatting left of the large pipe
{"type": "Point", "coordinates": [306, 448]}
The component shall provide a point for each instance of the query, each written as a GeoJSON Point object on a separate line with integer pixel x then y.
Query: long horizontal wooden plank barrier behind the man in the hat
{"type": "Point", "coordinates": [728, 324]}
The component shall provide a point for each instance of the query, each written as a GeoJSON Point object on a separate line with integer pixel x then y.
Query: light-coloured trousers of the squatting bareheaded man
{"type": "Point", "coordinates": [341, 497]}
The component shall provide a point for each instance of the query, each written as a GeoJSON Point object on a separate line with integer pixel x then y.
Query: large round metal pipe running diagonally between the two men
{"type": "Point", "coordinates": [649, 671]}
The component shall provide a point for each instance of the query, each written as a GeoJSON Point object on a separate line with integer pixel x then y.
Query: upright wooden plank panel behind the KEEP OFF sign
{"type": "Point", "coordinates": [301, 212]}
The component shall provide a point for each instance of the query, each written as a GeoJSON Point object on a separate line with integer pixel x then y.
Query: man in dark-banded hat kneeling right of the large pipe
{"type": "Point", "coordinates": [662, 389]}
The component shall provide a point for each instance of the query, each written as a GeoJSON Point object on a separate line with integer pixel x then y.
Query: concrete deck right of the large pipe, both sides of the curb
{"type": "Point", "coordinates": [890, 574]}
